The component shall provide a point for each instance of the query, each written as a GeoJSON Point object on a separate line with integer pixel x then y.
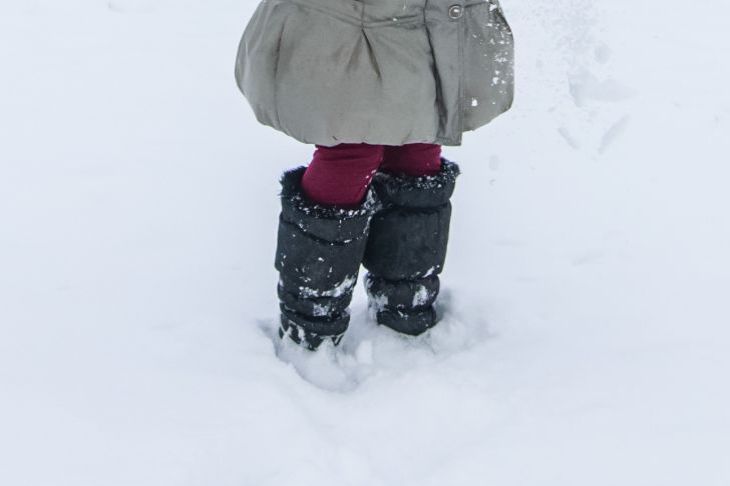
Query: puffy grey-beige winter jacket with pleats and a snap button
{"type": "Point", "coordinates": [377, 71]}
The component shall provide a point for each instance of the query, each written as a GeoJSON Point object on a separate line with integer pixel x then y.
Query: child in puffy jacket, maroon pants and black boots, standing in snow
{"type": "Point", "coordinates": [378, 86]}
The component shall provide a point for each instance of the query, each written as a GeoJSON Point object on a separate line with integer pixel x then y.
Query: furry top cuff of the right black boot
{"type": "Point", "coordinates": [418, 192]}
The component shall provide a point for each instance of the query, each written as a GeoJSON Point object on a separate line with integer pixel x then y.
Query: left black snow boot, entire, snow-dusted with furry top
{"type": "Point", "coordinates": [318, 256]}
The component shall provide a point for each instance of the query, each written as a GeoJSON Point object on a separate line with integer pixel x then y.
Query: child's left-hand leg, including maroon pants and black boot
{"type": "Point", "coordinates": [322, 240]}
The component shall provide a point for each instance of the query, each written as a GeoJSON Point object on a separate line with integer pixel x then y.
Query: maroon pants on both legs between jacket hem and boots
{"type": "Point", "coordinates": [340, 175]}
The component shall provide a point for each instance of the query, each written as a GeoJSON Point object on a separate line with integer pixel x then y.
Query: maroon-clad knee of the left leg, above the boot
{"type": "Point", "coordinates": [340, 175]}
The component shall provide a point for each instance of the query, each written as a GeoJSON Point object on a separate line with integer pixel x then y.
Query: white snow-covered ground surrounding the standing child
{"type": "Point", "coordinates": [587, 330]}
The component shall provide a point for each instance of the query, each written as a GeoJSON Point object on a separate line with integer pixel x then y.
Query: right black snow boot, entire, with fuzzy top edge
{"type": "Point", "coordinates": [406, 247]}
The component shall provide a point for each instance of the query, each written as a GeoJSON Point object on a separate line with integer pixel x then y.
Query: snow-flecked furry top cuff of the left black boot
{"type": "Point", "coordinates": [329, 223]}
